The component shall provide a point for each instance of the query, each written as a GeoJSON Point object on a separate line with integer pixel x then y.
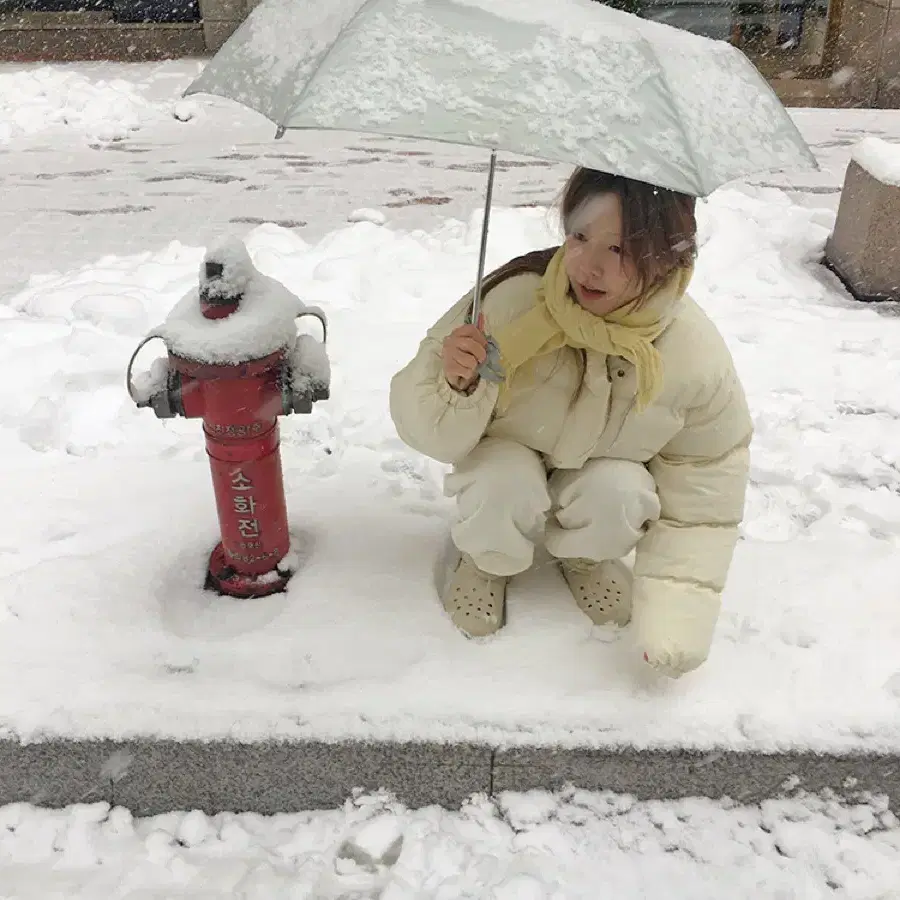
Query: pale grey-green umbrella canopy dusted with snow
{"type": "Point", "coordinates": [570, 81]}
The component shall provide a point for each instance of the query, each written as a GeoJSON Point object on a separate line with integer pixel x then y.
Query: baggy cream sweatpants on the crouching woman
{"type": "Point", "coordinates": [504, 497]}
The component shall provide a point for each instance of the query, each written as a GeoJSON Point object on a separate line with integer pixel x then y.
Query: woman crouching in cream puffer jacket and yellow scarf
{"type": "Point", "coordinates": [619, 424]}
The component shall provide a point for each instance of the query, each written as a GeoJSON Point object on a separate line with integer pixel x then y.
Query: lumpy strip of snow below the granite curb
{"type": "Point", "coordinates": [535, 846]}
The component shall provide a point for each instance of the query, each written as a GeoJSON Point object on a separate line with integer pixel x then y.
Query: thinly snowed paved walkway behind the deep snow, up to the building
{"type": "Point", "coordinates": [107, 160]}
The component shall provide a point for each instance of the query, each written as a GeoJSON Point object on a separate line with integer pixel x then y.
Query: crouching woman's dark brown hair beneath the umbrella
{"type": "Point", "coordinates": [659, 228]}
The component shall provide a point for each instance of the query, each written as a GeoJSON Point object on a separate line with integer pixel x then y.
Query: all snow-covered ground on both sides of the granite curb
{"type": "Point", "coordinates": [112, 189]}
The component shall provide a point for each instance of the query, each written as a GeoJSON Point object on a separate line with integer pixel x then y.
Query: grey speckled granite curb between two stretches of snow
{"type": "Point", "coordinates": [153, 776]}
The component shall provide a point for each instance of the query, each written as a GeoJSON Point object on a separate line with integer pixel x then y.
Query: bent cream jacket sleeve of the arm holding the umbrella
{"type": "Point", "coordinates": [429, 415]}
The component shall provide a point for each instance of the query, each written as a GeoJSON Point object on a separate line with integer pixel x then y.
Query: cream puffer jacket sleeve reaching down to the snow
{"type": "Point", "coordinates": [683, 560]}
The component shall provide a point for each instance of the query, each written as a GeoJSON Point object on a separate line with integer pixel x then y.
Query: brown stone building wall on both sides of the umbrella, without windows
{"type": "Point", "coordinates": [865, 69]}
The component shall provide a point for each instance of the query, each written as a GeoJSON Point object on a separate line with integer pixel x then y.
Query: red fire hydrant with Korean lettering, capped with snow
{"type": "Point", "coordinates": [235, 361]}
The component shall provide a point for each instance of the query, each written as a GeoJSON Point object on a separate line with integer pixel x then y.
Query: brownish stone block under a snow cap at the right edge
{"type": "Point", "coordinates": [864, 249]}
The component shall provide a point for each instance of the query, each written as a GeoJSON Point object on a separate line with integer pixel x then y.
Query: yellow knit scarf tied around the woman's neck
{"type": "Point", "coordinates": [556, 320]}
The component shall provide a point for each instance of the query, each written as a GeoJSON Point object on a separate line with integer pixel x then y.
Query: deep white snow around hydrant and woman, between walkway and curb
{"type": "Point", "coordinates": [334, 656]}
